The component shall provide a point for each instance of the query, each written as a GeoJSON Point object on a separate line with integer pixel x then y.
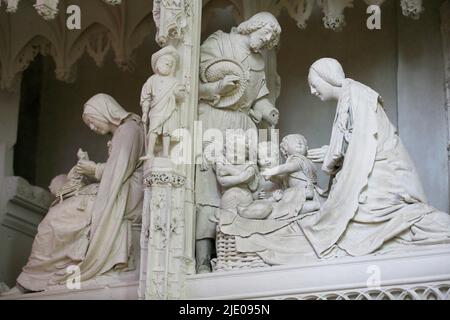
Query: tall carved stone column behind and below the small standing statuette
{"type": "Point", "coordinates": [168, 228]}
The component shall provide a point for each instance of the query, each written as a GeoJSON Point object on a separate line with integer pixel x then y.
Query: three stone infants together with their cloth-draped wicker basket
{"type": "Point", "coordinates": [264, 231]}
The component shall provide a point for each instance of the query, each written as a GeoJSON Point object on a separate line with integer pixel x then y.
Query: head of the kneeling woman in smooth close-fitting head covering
{"type": "Point", "coordinates": [325, 76]}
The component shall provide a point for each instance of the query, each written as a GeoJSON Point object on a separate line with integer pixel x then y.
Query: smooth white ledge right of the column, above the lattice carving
{"type": "Point", "coordinates": [403, 272]}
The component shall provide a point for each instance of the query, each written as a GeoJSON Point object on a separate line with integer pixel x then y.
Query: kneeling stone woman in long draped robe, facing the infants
{"type": "Point", "coordinates": [376, 203]}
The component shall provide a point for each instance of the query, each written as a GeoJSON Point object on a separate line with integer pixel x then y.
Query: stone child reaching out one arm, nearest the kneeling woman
{"type": "Point", "coordinates": [299, 170]}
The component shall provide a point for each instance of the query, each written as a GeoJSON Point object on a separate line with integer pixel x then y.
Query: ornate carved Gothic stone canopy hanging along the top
{"type": "Point", "coordinates": [100, 33]}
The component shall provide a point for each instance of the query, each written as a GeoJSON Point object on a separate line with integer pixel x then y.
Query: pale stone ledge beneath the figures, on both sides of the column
{"type": "Point", "coordinates": [420, 276]}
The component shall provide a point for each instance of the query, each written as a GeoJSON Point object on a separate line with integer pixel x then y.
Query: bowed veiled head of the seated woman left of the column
{"type": "Point", "coordinates": [102, 114]}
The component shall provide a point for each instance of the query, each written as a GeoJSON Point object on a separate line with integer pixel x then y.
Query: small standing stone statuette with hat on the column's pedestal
{"type": "Point", "coordinates": [160, 97]}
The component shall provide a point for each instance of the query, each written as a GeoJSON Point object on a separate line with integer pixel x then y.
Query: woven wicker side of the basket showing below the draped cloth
{"type": "Point", "coordinates": [228, 258]}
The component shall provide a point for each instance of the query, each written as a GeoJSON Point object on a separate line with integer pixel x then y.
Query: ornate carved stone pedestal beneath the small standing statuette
{"type": "Point", "coordinates": [163, 262]}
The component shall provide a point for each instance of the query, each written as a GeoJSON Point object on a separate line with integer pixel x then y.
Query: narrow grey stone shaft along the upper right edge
{"type": "Point", "coordinates": [445, 18]}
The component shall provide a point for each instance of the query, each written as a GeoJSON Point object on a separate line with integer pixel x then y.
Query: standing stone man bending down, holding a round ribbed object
{"type": "Point", "coordinates": [233, 95]}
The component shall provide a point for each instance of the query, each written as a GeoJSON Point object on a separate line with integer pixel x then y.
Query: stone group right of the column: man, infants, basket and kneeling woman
{"type": "Point", "coordinates": [375, 203]}
